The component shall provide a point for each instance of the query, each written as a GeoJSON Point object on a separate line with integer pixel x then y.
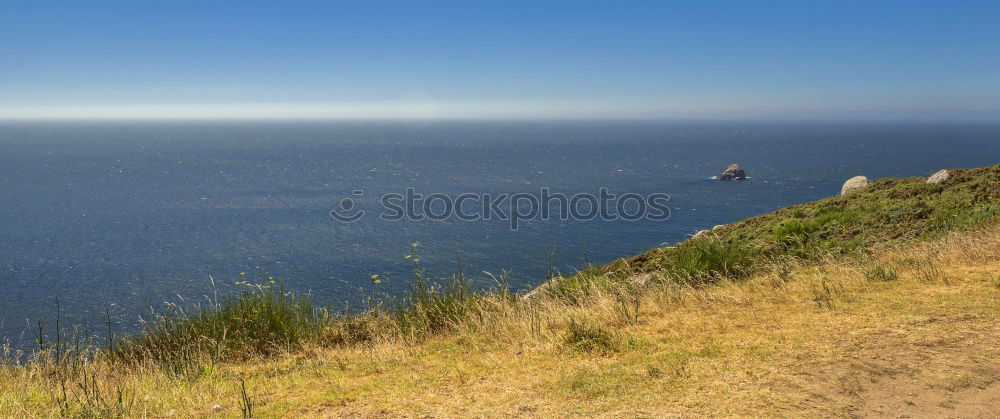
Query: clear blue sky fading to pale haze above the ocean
{"type": "Point", "coordinates": [509, 59]}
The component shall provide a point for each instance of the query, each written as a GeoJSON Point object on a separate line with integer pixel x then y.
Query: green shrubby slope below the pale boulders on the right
{"type": "Point", "coordinates": [887, 211]}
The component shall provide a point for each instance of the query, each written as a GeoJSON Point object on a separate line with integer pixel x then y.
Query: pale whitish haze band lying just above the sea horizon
{"type": "Point", "coordinates": [430, 110]}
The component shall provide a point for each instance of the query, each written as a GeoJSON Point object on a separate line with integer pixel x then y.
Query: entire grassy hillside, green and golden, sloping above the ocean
{"type": "Point", "coordinates": [883, 301]}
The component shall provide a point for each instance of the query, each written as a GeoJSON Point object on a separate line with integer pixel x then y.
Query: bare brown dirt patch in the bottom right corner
{"type": "Point", "coordinates": [936, 366]}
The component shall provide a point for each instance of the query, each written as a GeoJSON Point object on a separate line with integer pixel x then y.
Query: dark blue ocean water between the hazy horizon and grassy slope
{"type": "Point", "coordinates": [105, 215]}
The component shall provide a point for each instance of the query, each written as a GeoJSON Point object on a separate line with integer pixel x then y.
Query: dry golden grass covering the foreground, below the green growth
{"type": "Point", "coordinates": [803, 339]}
